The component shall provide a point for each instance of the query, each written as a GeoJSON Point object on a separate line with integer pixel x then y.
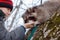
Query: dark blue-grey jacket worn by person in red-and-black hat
{"type": "Point", "coordinates": [17, 34]}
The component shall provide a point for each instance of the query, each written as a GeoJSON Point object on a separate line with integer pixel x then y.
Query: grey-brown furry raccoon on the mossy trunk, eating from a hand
{"type": "Point", "coordinates": [42, 12]}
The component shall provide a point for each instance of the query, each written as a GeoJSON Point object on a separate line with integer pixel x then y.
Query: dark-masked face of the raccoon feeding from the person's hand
{"type": "Point", "coordinates": [30, 14]}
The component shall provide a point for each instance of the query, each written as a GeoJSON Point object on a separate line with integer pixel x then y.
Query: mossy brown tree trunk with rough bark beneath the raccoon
{"type": "Point", "coordinates": [49, 30]}
